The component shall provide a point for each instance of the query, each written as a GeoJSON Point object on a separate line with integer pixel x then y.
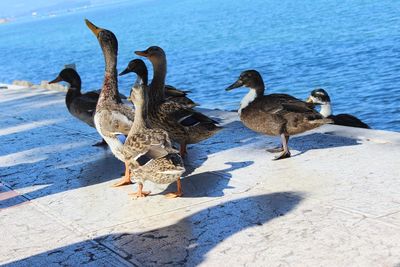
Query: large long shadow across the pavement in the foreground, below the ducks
{"type": "Point", "coordinates": [185, 243]}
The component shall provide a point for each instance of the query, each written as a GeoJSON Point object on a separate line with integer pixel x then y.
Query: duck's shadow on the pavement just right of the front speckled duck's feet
{"type": "Point", "coordinates": [209, 183]}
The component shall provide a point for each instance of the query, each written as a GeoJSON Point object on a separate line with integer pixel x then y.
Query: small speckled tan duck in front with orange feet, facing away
{"type": "Point", "coordinates": [148, 151]}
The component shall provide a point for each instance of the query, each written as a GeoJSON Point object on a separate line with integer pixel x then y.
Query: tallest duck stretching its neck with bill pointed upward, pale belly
{"type": "Point", "coordinates": [112, 119]}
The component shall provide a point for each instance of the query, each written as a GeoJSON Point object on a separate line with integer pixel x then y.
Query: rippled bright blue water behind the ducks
{"type": "Point", "coordinates": [350, 48]}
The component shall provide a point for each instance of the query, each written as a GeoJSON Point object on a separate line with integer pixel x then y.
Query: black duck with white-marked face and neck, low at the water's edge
{"type": "Point", "coordinates": [320, 97]}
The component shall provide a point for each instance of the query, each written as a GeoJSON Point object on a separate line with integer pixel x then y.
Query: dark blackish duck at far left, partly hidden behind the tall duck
{"type": "Point", "coordinates": [81, 106]}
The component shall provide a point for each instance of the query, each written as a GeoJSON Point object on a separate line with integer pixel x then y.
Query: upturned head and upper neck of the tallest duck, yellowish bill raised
{"type": "Point", "coordinates": [108, 43]}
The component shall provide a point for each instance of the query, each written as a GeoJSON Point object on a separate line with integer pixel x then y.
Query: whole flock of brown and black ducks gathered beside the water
{"type": "Point", "coordinates": [141, 137]}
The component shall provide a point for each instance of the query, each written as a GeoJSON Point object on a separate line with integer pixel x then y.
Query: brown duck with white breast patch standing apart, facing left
{"type": "Point", "coordinates": [274, 114]}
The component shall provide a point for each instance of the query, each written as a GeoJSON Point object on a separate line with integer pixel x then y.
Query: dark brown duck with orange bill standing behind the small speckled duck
{"type": "Point", "coordinates": [183, 124]}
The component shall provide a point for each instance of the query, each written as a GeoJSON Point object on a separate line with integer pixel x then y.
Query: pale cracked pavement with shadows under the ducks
{"type": "Point", "coordinates": [336, 202]}
